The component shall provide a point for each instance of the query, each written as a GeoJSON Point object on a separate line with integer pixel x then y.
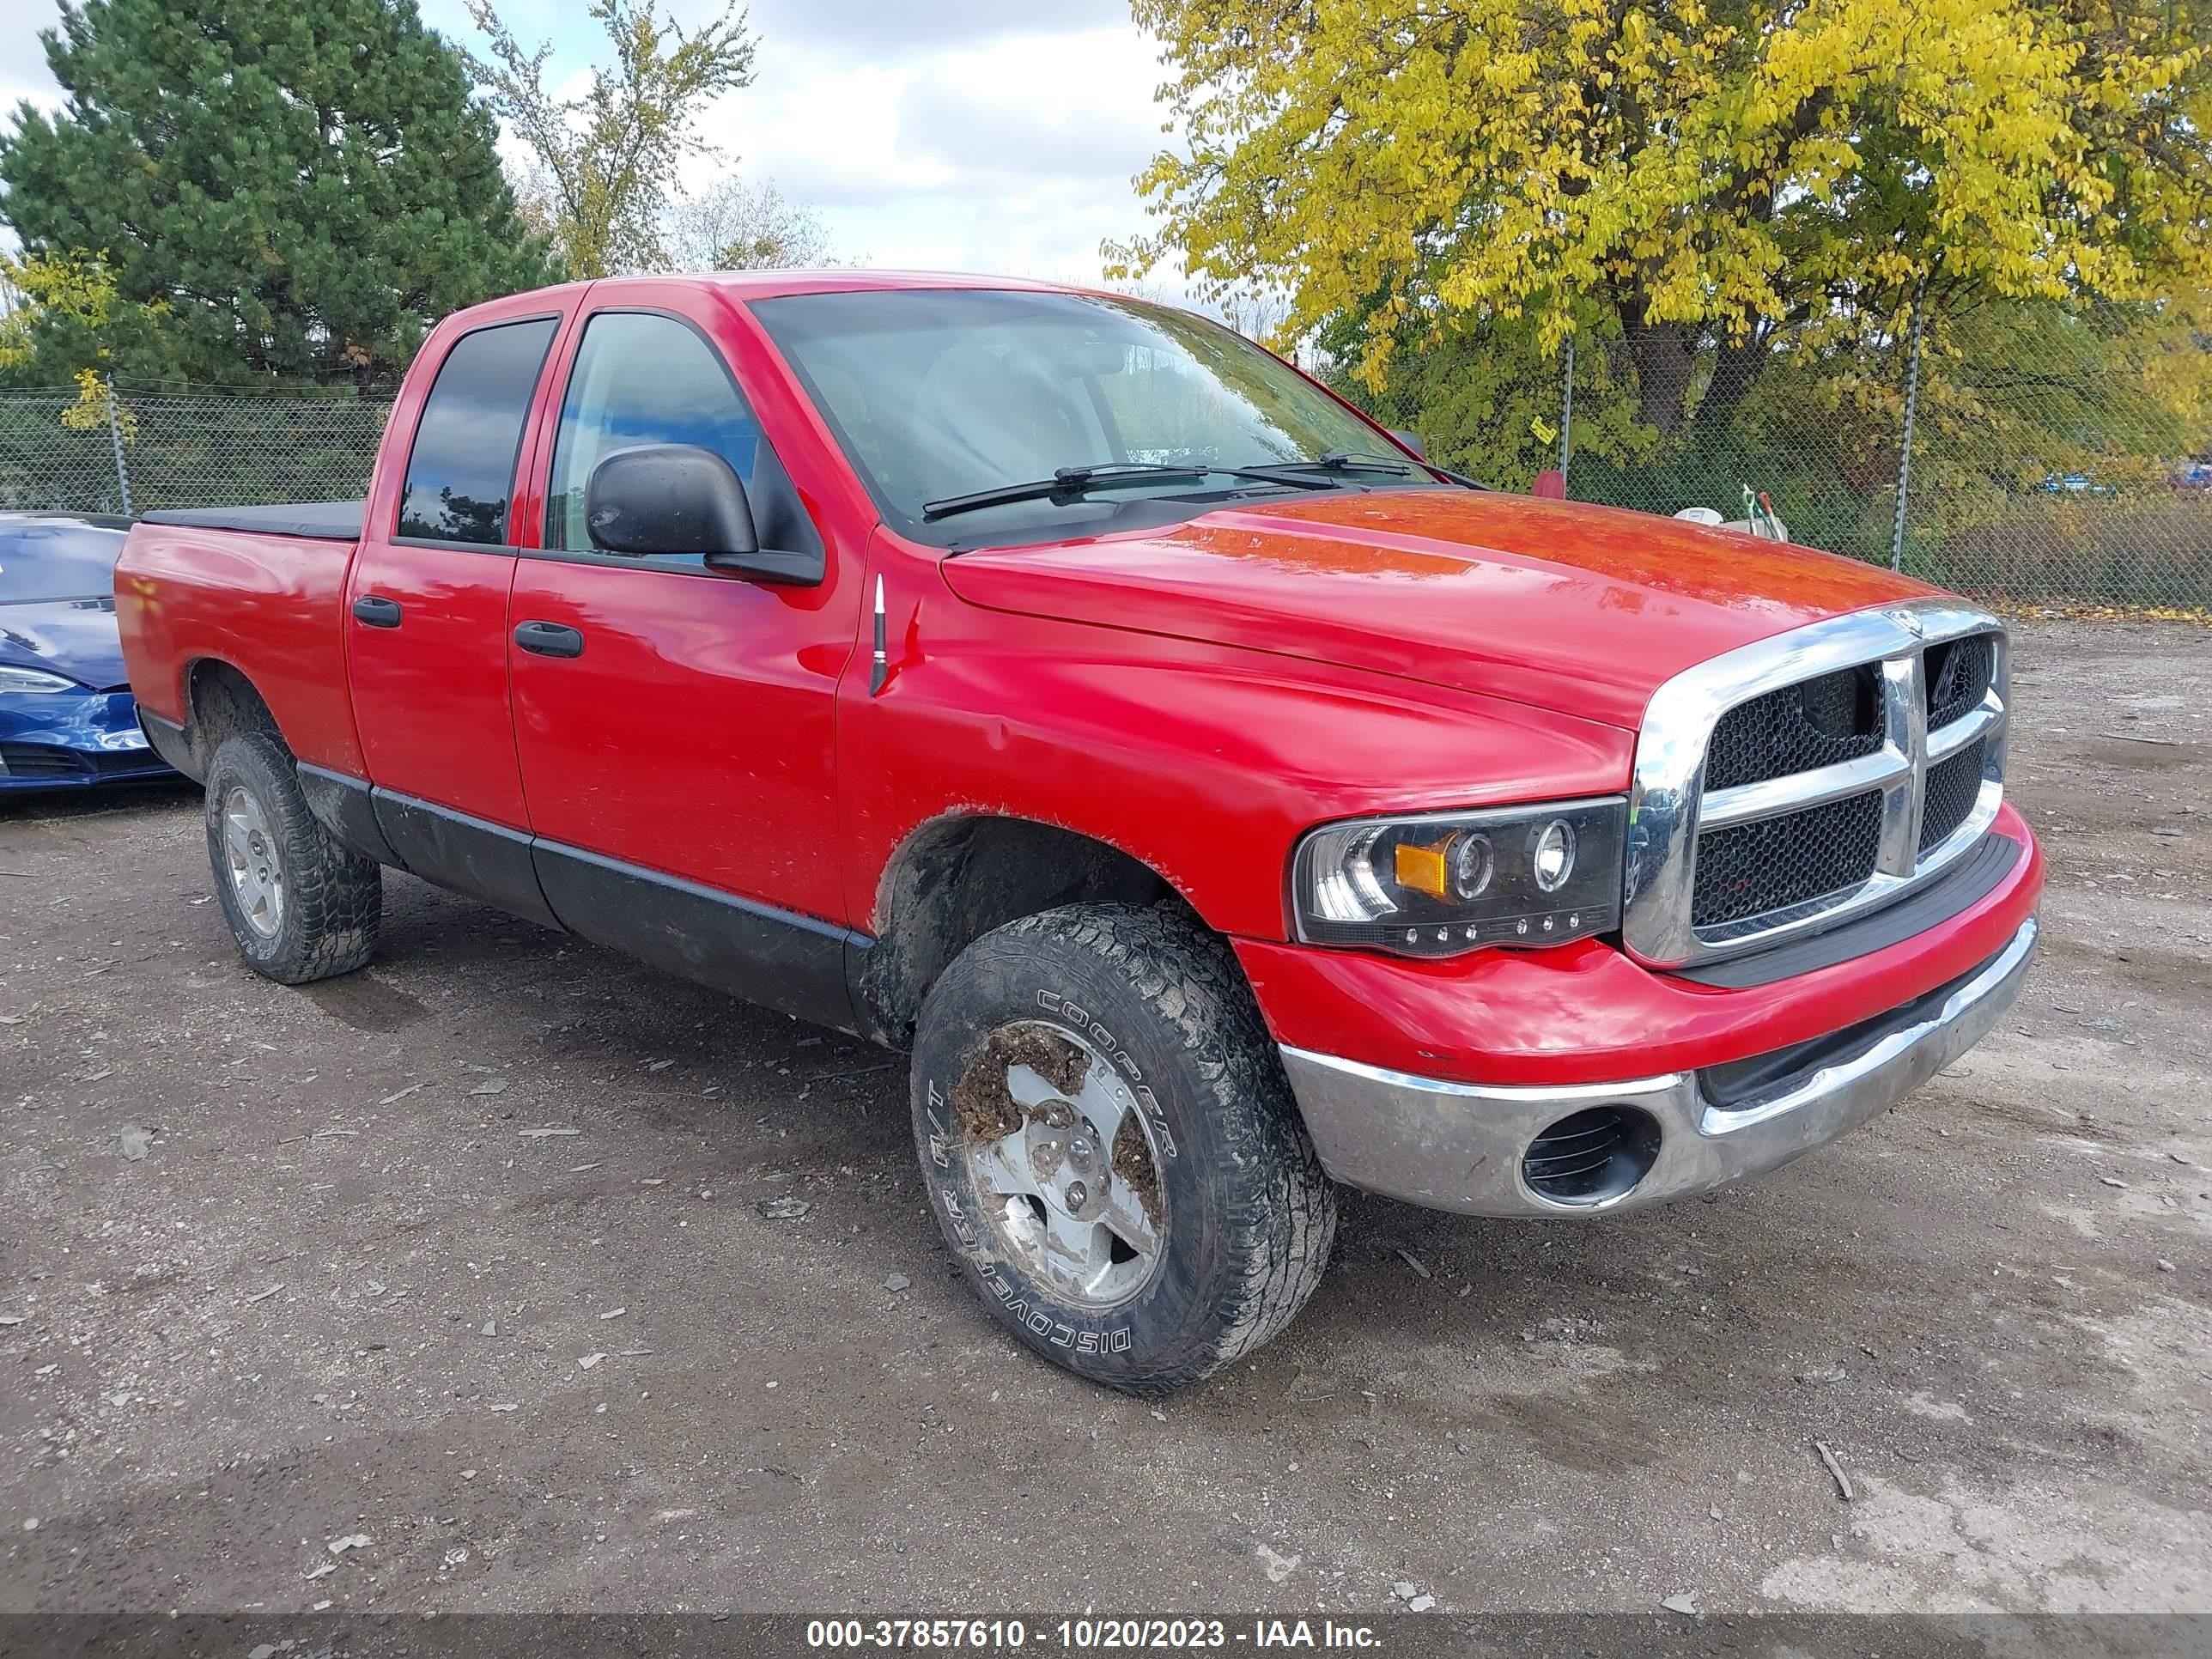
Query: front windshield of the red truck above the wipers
{"type": "Point", "coordinates": [946, 393]}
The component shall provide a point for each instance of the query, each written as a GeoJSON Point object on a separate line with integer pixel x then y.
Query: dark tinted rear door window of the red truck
{"type": "Point", "coordinates": [461, 472]}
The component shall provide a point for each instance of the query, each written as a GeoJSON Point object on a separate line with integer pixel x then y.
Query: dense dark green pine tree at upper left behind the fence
{"type": "Point", "coordinates": [282, 189]}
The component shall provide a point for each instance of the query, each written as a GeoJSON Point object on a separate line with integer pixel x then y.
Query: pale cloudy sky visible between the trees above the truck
{"type": "Point", "coordinates": [992, 136]}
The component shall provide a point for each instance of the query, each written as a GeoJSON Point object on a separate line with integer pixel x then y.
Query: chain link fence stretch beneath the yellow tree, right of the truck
{"type": "Point", "coordinates": [2018, 461]}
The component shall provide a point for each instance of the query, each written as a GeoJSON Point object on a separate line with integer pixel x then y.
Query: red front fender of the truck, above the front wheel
{"type": "Point", "coordinates": [1202, 762]}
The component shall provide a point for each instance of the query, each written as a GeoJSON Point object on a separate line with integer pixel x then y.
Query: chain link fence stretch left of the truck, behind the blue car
{"type": "Point", "coordinates": [129, 452]}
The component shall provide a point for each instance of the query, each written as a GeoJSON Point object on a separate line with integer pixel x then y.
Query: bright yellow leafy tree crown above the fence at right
{"type": "Point", "coordinates": [1698, 185]}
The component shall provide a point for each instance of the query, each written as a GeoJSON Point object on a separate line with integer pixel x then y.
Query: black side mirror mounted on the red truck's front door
{"type": "Point", "coordinates": [680, 499]}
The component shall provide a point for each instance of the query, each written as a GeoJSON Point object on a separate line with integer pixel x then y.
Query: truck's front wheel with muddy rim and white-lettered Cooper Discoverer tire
{"type": "Point", "coordinates": [1112, 1147]}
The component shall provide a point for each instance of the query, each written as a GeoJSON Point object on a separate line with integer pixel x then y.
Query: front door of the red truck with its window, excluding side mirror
{"type": "Point", "coordinates": [676, 720]}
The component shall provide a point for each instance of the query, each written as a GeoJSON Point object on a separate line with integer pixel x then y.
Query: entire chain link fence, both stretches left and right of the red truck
{"type": "Point", "coordinates": [2023, 477]}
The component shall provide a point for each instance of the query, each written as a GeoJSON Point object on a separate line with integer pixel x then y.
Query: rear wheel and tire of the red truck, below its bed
{"type": "Point", "coordinates": [300, 906]}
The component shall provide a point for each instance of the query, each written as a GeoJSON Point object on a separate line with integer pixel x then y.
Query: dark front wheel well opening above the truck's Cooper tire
{"type": "Point", "coordinates": [957, 879]}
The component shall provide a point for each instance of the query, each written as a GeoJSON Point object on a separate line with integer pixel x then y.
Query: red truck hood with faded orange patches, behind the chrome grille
{"type": "Point", "coordinates": [1567, 607]}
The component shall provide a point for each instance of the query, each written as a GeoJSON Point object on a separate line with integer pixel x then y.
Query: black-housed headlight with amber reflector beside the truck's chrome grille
{"type": "Point", "coordinates": [1457, 881]}
